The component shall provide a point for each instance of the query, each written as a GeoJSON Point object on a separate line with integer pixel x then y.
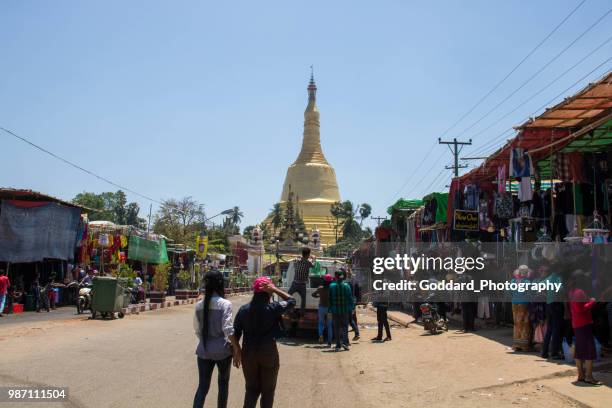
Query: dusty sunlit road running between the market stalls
{"type": "Point", "coordinates": [147, 361]}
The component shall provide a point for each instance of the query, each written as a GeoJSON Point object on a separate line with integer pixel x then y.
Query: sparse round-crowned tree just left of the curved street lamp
{"type": "Point", "coordinates": [180, 220]}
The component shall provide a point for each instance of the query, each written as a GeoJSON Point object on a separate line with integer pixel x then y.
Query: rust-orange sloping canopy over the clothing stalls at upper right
{"type": "Point", "coordinates": [557, 127]}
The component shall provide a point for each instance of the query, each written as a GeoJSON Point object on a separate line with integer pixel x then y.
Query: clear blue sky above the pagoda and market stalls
{"type": "Point", "coordinates": [206, 99]}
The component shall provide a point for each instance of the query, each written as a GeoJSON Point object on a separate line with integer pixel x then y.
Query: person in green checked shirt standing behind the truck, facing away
{"type": "Point", "coordinates": [341, 306]}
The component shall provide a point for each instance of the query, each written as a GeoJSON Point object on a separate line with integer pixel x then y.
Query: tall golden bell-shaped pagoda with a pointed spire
{"type": "Point", "coordinates": [311, 178]}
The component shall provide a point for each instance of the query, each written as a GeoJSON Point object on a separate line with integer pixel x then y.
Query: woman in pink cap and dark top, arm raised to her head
{"type": "Point", "coordinates": [259, 323]}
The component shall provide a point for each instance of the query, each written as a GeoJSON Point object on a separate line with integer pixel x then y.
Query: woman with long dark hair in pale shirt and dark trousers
{"type": "Point", "coordinates": [216, 345]}
